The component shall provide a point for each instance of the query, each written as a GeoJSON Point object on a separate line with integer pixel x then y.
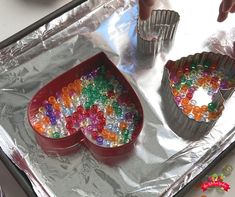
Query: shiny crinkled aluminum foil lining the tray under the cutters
{"type": "Point", "coordinates": [162, 162]}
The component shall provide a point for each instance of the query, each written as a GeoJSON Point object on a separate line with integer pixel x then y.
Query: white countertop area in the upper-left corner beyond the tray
{"type": "Point", "coordinates": [18, 14]}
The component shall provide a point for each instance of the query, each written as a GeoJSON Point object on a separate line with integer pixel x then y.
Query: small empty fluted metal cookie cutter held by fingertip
{"type": "Point", "coordinates": [157, 31]}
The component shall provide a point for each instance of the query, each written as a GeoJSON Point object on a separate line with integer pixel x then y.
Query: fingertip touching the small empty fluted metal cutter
{"type": "Point", "coordinates": [145, 8]}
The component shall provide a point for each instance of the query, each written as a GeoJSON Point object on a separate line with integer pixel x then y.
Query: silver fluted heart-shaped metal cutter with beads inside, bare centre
{"type": "Point", "coordinates": [194, 90]}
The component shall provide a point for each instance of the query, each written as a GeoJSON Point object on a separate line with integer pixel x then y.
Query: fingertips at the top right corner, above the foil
{"type": "Point", "coordinates": [226, 6]}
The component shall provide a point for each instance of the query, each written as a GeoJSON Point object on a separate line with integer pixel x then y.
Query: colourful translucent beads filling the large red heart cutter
{"type": "Point", "coordinates": [96, 104]}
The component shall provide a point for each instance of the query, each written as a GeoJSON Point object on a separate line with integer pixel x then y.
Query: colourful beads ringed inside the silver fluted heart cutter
{"type": "Point", "coordinates": [186, 81]}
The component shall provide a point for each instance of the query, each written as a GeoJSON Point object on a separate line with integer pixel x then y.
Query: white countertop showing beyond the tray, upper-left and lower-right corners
{"type": "Point", "coordinates": [18, 14]}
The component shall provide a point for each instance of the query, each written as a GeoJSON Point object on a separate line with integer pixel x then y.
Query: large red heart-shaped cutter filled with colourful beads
{"type": "Point", "coordinates": [91, 104]}
